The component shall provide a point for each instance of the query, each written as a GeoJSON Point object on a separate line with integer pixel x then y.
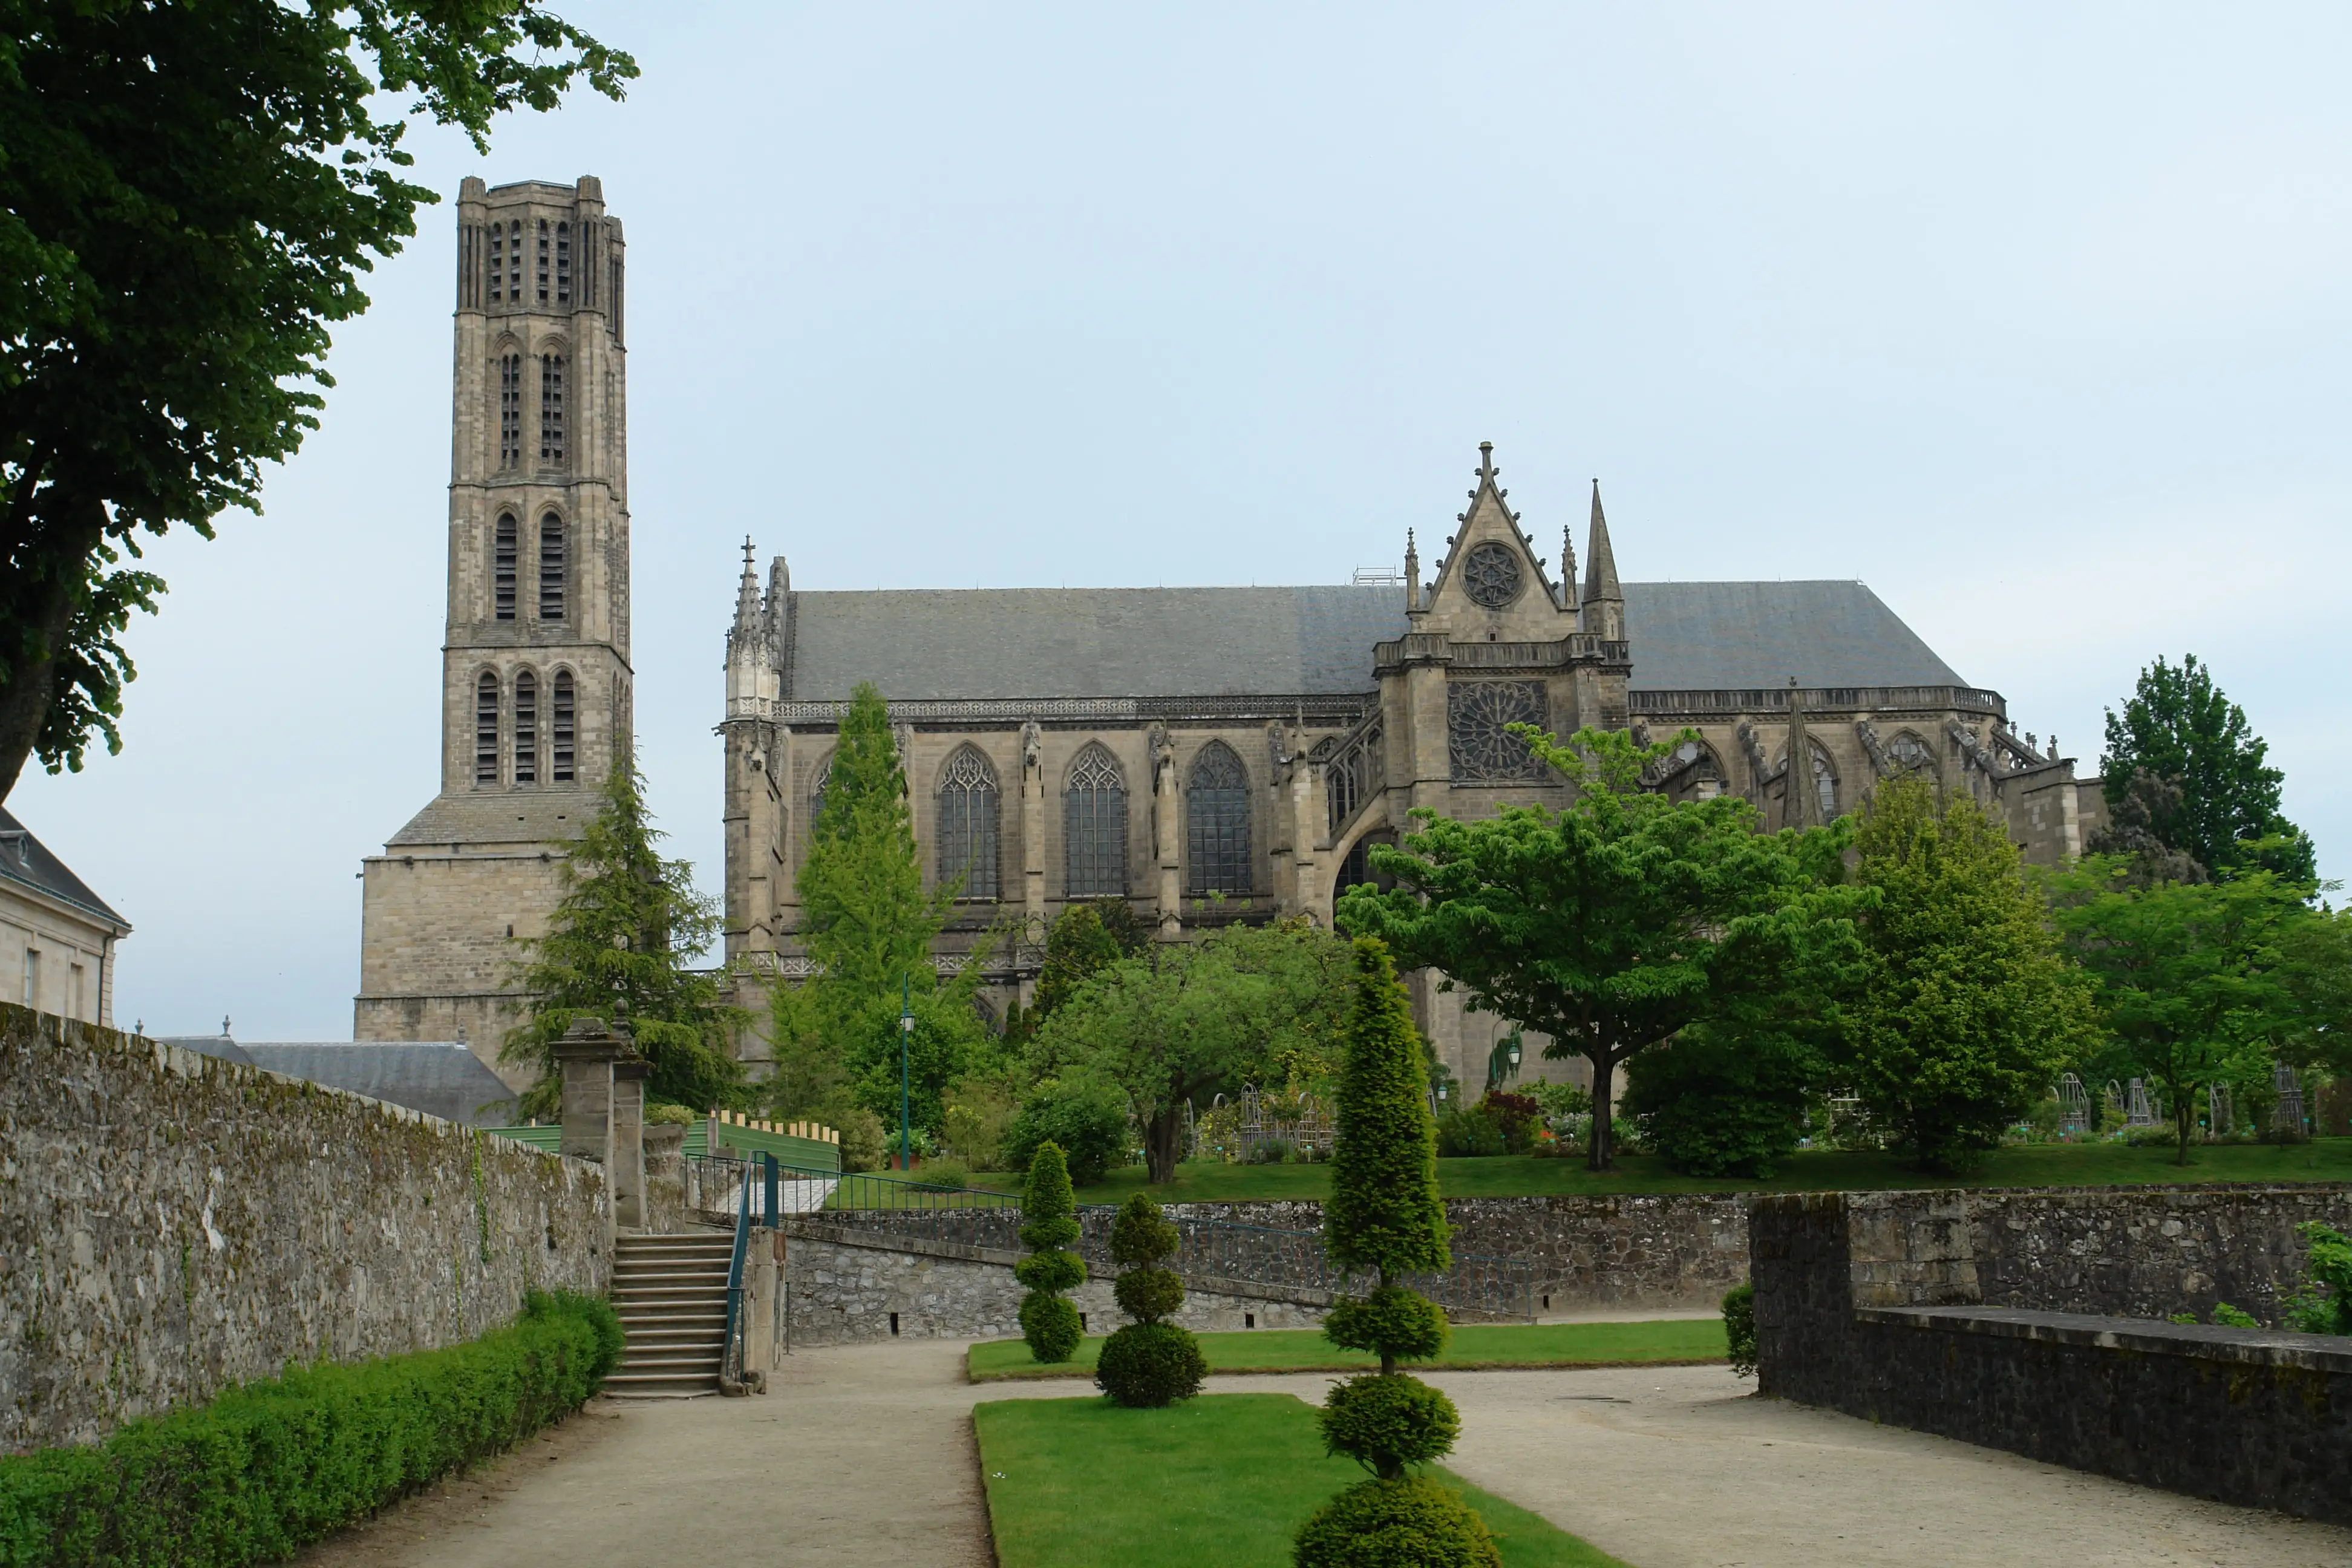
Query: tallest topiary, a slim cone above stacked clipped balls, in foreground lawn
{"type": "Point", "coordinates": [1384, 1219]}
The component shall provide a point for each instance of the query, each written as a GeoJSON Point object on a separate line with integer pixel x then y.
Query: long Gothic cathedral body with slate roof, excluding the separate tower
{"type": "Point", "coordinates": [1220, 756]}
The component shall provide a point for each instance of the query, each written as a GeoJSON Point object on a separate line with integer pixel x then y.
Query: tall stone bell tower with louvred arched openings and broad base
{"type": "Point", "coordinates": [535, 657]}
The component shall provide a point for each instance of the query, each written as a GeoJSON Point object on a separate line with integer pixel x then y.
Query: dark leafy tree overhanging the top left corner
{"type": "Point", "coordinates": [187, 206]}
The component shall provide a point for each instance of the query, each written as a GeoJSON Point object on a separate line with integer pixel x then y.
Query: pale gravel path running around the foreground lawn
{"type": "Point", "coordinates": [864, 1456]}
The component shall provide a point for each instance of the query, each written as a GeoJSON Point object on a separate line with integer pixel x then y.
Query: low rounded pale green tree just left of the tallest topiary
{"type": "Point", "coordinates": [1187, 1019]}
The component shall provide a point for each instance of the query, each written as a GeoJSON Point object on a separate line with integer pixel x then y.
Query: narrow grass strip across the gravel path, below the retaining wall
{"type": "Point", "coordinates": [1304, 1351]}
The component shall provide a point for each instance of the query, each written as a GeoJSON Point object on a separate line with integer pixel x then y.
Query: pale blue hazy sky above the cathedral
{"type": "Point", "coordinates": [2031, 319]}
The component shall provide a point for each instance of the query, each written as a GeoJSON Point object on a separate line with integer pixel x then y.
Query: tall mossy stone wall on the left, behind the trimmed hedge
{"type": "Point", "coordinates": [173, 1226]}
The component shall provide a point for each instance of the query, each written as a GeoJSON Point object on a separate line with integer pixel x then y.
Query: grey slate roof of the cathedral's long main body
{"type": "Point", "coordinates": [1100, 643]}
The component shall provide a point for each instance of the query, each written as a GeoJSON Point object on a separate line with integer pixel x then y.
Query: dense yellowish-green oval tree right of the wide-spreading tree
{"type": "Point", "coordinates": [1967, 1010]}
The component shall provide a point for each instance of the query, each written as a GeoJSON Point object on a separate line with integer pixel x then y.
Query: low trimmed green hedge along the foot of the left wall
{"type": "Point", "coordinates": [279, 1463]}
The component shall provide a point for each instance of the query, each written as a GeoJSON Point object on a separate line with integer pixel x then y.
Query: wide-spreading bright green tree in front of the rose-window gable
{"type": "Point", "coordinates": [1610, 925]}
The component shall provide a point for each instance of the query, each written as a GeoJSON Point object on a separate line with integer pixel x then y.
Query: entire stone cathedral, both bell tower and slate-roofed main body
{"type": "Point", "coordinates": [1205, 753]}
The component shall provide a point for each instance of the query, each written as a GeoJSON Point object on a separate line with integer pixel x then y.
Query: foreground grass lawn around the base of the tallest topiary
{"type": "Point", "coordinates": [1220, 1480]}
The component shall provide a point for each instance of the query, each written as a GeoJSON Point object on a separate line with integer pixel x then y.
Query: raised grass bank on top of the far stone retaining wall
{"type": "Point", "coordinates": [2033, 1165]}
